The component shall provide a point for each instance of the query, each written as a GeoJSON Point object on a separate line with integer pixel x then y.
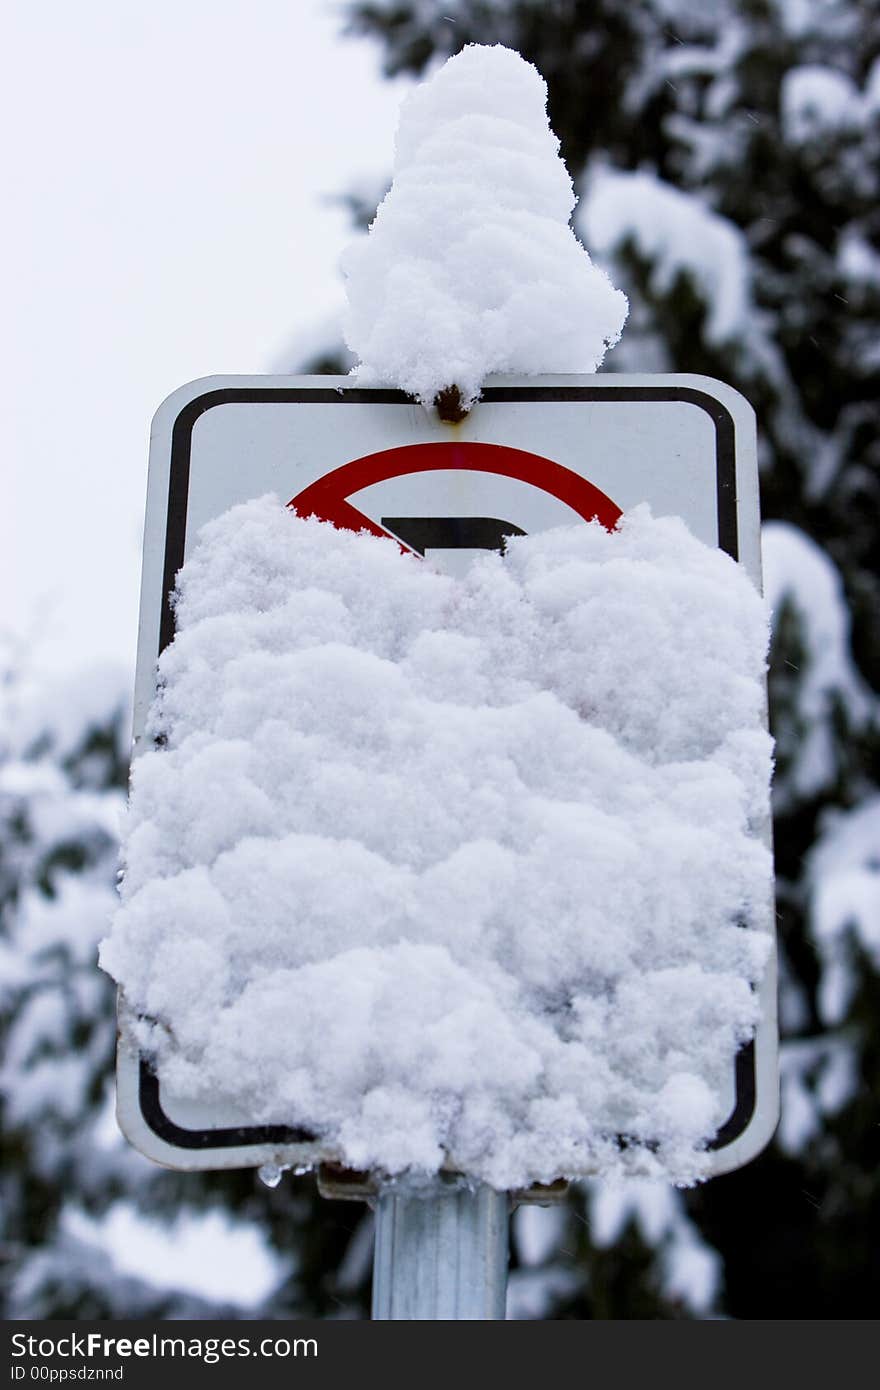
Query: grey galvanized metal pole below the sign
{"type": "Point", "coordinates": [441, 1254]}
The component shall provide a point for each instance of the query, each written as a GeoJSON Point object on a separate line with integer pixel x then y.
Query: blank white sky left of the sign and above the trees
{"type": "Point", "coordinates": [165, 220]}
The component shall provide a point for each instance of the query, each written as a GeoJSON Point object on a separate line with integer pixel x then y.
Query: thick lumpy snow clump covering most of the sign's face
{"type": "Point", "coordinates": [455, 869]}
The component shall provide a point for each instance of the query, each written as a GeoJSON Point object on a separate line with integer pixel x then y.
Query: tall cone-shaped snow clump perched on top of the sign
{"type": "Point", "coordinates": [471, 266]}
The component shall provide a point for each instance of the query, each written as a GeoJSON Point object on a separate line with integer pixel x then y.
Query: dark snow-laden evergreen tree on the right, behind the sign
{"type": "Point", "coordinates": [729, 163]}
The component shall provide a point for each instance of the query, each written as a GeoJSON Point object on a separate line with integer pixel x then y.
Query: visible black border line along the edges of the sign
{"type": "Point", "coordinates": [176, 533]}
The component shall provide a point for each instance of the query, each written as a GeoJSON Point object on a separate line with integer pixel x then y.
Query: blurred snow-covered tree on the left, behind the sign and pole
{"type": "Point", "coordinates": [63, 778]}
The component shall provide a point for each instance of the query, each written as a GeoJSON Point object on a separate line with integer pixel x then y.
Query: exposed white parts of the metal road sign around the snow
{"type": "Point", "coordinates": [533, 455]}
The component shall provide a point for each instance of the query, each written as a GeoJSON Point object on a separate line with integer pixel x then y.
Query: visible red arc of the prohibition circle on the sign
{"type": "Point", "coordinates": [327, 497]}
